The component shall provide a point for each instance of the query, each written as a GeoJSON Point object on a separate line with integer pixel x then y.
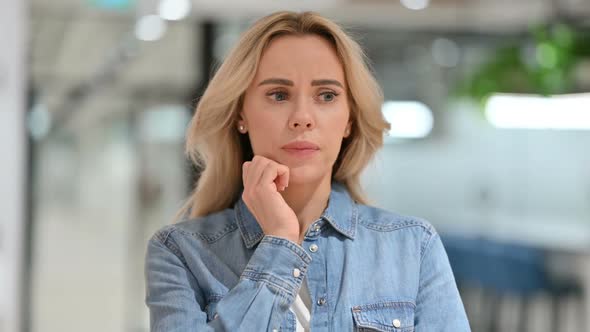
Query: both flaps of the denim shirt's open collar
{"type": "Point", "coordinates": [341, 213]}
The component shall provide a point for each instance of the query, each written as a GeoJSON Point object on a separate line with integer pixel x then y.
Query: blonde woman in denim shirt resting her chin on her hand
{"type": "Point", "coordinates": [277, 235]}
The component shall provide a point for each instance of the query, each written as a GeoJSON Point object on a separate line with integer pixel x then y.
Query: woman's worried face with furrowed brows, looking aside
{"type": "Point", "coordinates": [298, 94]}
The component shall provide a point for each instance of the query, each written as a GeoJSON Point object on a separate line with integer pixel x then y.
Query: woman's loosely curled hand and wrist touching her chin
{"type": "Point", "coordinates": [263, 179]}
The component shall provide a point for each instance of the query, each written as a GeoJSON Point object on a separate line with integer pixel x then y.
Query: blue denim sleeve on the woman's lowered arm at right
{"type": "Point", "coordinates": [438, 304]}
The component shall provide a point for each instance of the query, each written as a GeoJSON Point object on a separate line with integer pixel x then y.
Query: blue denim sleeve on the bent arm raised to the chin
{"type": "Point", "coordinates": [265, 291]}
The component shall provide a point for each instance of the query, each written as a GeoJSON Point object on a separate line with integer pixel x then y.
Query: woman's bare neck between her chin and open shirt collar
{"type": "Point", "coordinates": [308, 201]}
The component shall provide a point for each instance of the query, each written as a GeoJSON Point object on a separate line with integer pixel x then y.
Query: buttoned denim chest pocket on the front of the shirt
{"type": "Point", "coordinates": [384, 316]}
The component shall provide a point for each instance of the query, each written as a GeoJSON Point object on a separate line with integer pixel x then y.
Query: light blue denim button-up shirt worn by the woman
{"type": "Point", "coordinates": [367, 269]}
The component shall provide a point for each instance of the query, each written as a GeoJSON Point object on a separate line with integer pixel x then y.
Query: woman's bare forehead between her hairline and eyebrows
{"type": "Point", "coordinates": [293, 57]}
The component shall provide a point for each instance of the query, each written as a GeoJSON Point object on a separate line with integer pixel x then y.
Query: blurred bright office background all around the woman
{"type": "Point", "coordinates": [490, 142]}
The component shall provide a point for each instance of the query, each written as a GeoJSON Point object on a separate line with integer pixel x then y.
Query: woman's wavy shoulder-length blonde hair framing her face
{"type": "Point", "coordinates": [216, 147]}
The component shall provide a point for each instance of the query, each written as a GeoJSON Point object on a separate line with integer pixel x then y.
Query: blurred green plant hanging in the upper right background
{"type": "Point", "coordinates": [543, 64]}
